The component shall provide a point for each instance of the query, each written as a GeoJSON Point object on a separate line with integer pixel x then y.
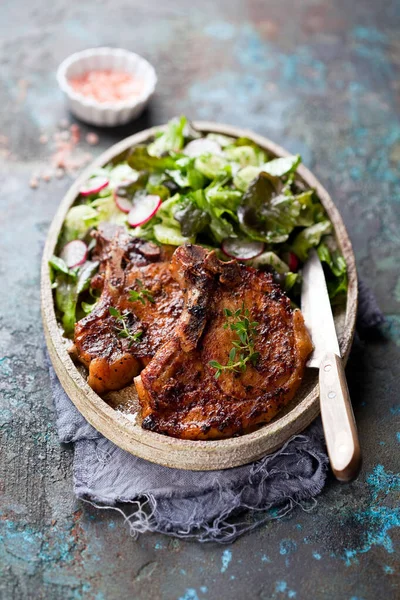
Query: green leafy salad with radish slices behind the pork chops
{"type": "Point", "coordinates": [221, 192]}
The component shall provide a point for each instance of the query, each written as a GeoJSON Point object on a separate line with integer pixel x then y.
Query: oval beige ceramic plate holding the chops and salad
{"type": "Point", "coordinates": [115, 416]}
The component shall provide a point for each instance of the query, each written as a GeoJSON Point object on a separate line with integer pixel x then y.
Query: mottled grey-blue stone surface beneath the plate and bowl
{"type": "Point", "coordinates": [322, 79]}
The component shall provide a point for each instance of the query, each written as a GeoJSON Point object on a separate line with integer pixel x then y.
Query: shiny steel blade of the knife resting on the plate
{"type": "Point", "coordinates": [317, 312]}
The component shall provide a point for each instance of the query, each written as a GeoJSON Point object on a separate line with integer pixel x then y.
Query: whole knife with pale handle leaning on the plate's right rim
{"type": "Point", "coordinates": [336, 410]}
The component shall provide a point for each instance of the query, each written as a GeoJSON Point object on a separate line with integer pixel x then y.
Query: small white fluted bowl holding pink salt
{"type": "Point", "coordinates": [106, 114]}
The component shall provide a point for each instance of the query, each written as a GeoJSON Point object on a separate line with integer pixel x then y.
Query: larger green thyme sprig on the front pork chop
{"type": "Point", "coordinates": [242, 351]}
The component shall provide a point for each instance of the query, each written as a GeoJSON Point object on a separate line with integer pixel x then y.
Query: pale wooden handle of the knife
{"type": "Point", "coordinates": [338, 419]}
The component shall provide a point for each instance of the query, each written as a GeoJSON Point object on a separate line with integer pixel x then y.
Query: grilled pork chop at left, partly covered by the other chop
{"type": "Point", "coordinates": [127, 265]}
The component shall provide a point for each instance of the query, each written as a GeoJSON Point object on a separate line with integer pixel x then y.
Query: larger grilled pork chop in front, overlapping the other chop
{"type": "Point", "coordinates": [178, 390]}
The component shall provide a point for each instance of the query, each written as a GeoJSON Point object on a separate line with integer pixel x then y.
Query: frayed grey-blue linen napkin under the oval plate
{"type": "Point", "coordinates": [206, 505]}
